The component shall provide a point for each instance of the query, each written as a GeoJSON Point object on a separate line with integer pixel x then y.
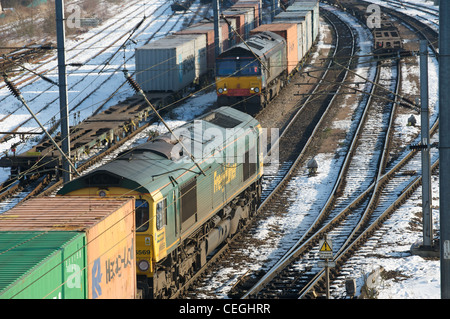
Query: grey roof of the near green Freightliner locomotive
{"type": "Point", "coordinates": [154, 164]}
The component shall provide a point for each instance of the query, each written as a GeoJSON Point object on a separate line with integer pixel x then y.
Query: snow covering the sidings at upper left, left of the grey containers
{"type": "Point", "coordinates": [88, 49]}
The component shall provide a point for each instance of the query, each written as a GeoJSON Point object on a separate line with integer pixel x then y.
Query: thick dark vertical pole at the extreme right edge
{"type": "Point", "coordinates": [444, 145]}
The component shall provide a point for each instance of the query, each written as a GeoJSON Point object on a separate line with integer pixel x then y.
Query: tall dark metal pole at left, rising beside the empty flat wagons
{"type": "Point", "coordinates": [62, 82]}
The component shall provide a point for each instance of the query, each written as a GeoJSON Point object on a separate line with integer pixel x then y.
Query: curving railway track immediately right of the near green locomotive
{"type": "Point", "coordinates": [317, 106]}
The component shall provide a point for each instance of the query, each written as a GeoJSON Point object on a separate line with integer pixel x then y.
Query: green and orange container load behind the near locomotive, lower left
{"type": "Point", "coordinates": [68, 248]}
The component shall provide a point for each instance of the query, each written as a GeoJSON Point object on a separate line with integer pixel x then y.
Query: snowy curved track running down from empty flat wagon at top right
{"type": "Point", "coordinates": [360, 168]}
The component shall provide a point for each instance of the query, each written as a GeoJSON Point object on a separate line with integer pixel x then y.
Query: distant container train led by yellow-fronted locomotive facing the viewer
{"type": "Point", "coordinates": [250, 74]}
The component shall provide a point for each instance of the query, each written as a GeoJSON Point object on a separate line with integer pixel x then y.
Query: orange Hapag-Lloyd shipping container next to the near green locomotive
{"type": "Point", "coordinates": [109, 228]}
